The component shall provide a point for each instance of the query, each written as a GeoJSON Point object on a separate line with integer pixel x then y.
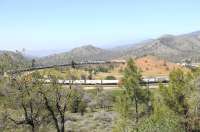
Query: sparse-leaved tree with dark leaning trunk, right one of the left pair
{"type": "Point", "coordinates": [55, 99]}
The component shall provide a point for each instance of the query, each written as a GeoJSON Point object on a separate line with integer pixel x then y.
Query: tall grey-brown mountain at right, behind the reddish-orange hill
{"type": "Point", "coordinates": [172, 48]}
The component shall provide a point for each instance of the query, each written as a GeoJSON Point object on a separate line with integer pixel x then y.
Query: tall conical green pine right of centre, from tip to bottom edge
{"type": "Point", "coordinates": [133, 98]}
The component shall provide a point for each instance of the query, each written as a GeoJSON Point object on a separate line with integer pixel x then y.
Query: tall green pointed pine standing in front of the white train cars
{"type": "Point", "coordinates": [133, 93]}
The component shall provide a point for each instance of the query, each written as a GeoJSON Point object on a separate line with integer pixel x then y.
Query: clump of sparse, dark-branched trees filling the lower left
{"type": "Point", "coordinates": [32, 105]}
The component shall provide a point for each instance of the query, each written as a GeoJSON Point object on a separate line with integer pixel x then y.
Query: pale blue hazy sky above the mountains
{"type": "Point", "coordinates": [64, 24]}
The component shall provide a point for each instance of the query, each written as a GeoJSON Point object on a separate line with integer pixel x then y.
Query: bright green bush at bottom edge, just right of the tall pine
{"type": "Point", "coordinates": [161, 120]}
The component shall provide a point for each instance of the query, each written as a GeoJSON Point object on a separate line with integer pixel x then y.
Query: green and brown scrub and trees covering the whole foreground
{"type": "Point", "coordinates": [29, 104]}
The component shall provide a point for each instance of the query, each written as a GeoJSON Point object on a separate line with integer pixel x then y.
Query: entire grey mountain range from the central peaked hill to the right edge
{"type": "Point", "coordinates": [169, 47]}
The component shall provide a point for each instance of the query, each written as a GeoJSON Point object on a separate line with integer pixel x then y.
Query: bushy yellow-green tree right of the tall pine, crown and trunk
{"type": "Point", "coordinates": [176, 95]}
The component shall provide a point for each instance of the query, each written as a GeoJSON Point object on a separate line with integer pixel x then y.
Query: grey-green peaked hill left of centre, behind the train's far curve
{"type": "Point", "coordinates": [83, 53]}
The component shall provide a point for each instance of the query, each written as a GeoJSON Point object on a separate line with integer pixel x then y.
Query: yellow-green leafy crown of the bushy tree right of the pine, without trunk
{"type": "Point", "coordinates": [176, 94]}
